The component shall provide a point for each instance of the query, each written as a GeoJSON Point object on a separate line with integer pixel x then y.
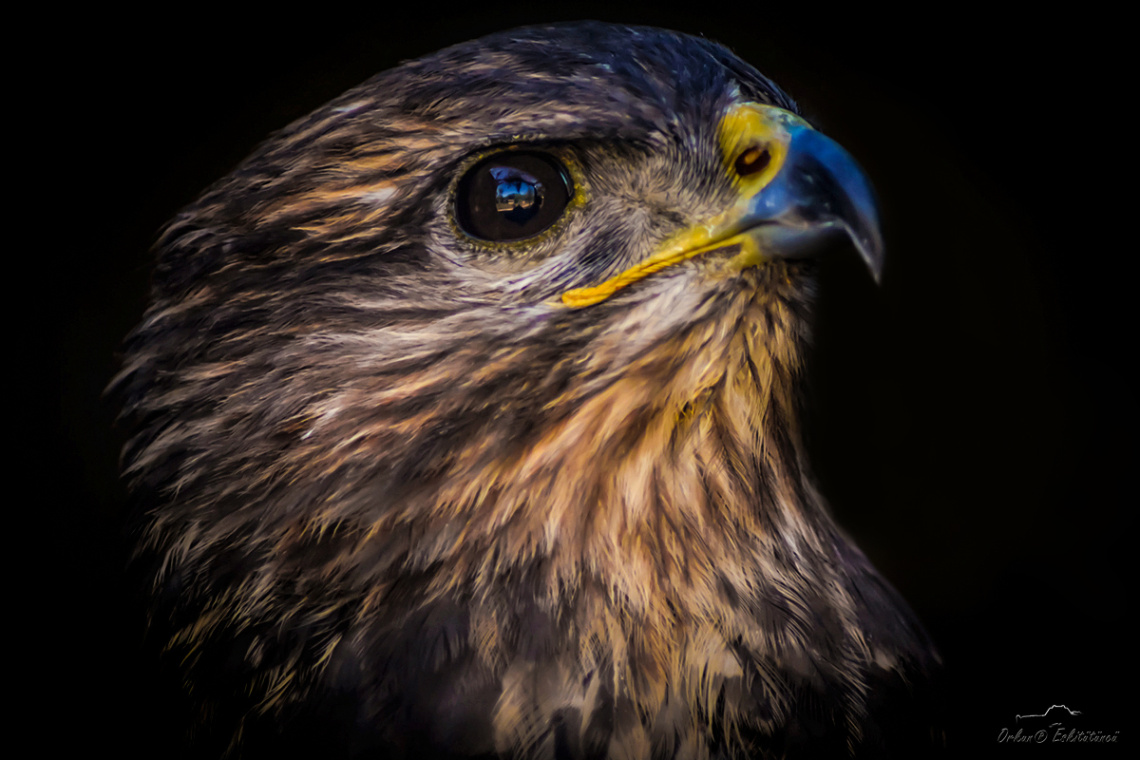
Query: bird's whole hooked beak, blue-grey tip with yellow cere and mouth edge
{"type": "Point", "coordinates": [797, 191]}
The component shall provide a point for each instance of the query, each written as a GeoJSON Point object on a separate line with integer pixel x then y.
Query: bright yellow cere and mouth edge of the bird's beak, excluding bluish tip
{"type": "Point", "coordinates": [746, 127]}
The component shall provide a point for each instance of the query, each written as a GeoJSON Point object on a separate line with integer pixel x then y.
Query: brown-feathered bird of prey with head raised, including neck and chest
{"type": "Point", "coordinates": [466, 423]}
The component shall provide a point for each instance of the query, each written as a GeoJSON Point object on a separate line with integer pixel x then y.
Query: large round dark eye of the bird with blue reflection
{"type": "Point", "coordinates": [512, 197]}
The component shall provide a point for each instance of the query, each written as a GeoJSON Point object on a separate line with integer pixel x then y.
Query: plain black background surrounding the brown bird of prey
{"type": "Point", "coordinates": [973, 420]}
